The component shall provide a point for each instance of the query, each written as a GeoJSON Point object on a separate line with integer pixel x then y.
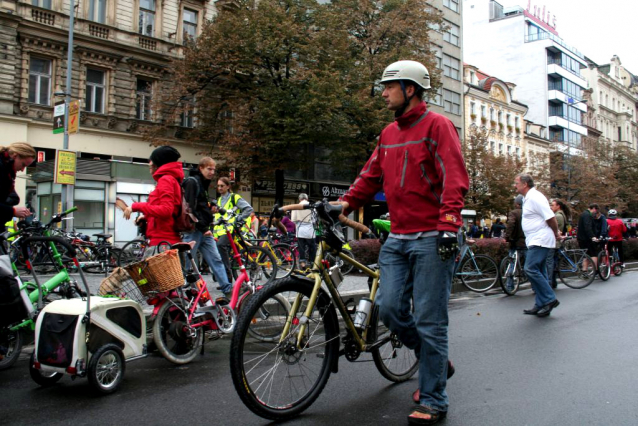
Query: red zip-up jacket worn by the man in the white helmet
{"type": "Point", "coordinates": [419, 165]}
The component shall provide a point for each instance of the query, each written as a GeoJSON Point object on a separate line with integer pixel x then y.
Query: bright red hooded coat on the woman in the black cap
{"type": "Point", "coordinates": [163, 204]}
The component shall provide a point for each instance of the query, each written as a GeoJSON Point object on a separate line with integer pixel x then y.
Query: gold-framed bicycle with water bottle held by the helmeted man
{"type": "Point", "coordinates": [279, 380]}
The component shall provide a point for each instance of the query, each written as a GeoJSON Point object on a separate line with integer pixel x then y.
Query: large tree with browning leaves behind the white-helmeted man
{"type": "Point", "coordinates": [268, 79]}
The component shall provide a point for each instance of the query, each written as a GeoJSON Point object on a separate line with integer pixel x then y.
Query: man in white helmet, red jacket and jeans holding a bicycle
{"type": "Point", "coordinates": [418, 164]}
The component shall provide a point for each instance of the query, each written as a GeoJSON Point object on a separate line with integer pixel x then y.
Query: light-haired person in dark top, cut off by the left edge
{"type": "Point", "coordinates": [13, 158]}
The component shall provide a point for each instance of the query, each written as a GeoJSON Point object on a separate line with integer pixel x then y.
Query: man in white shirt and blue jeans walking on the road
{"type": "Point", "coordinates": [541, 230]}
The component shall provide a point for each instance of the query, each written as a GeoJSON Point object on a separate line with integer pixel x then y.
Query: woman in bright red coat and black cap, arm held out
{"type": "Point", "coordinates": [166, 199]}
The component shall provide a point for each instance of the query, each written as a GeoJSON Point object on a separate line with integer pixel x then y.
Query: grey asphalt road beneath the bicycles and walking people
{"type": "Point", "coordinates": [576, 367]}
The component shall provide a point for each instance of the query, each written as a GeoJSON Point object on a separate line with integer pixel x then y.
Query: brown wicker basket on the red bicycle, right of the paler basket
{"type": "Point", "coordinates": [162, 272]}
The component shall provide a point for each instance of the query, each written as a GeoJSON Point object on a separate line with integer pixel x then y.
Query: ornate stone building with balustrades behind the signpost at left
{"type": "Point", "coordinates": [121, 50]}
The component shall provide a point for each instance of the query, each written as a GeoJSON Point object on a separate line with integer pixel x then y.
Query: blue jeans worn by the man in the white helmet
{"type": "Point", "coordinates": [412, 270]}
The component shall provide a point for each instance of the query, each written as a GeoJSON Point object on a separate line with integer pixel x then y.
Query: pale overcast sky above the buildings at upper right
{"type": "Point", "coordinates": [598, 29]}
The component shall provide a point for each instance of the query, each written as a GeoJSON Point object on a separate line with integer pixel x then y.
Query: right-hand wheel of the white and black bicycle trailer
{"type": "Point", "coordinates": [106, 369]}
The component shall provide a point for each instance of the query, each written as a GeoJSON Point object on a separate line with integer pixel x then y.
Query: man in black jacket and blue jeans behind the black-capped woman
{"type": "Point", "coordinates": [195, 189]}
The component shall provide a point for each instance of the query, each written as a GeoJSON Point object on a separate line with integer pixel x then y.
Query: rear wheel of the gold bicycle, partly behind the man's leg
{"type": "Point", "coordinates": [395, 361]}
